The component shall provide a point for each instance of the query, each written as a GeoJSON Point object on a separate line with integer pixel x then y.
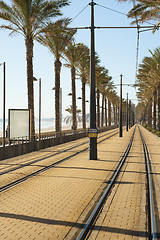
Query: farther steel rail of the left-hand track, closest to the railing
{"type": "Point", "coordinates": [43, 158]}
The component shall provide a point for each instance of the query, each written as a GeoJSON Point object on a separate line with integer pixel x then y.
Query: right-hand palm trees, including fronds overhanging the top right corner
{"type": "Point", "coordinates": [148, 77]}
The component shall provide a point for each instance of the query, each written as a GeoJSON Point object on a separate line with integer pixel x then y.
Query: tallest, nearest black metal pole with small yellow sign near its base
{"type": "Point", "coordinates": [93, 140]}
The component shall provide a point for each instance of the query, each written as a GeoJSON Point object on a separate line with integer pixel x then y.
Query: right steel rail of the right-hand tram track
{"type": "Point", "coordinates": [154, 227]}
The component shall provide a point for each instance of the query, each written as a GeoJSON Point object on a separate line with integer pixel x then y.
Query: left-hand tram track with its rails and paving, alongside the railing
{"type": "Point", "coordinates": [47, 167]}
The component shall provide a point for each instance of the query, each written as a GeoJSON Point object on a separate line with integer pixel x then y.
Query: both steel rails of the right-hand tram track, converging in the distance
{"type": "Point", "coordinates": [152, 227]}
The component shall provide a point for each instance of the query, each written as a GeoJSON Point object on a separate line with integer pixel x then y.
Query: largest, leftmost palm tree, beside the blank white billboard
{"type": "Point", "coordinates": [28, 18]}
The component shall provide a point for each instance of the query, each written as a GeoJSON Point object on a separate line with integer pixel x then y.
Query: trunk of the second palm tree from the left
{"type": "Point", "coordinates": [57, 66]}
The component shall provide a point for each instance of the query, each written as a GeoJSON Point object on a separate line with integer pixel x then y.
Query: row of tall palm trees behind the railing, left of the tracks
{"type": "Point", "coordinates": [34, 20]}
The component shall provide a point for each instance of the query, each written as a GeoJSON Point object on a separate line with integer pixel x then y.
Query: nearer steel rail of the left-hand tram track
{"type": "Point", "coordinates": [16, 182]}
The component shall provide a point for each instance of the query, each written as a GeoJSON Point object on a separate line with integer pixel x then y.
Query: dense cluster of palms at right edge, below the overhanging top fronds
{"type": "Point", "coordinates": [148, 83]}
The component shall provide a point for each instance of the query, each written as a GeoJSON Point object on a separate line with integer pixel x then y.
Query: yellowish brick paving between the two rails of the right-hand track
{"type": "Point", "coordinates": [124, 214]}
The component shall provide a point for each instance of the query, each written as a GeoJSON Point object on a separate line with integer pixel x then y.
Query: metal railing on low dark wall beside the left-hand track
{"type": "Point", "coordinates": [22, 145]}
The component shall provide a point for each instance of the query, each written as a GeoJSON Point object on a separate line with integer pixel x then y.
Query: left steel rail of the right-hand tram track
{"type": "Point", "coordinates": [100, 204]}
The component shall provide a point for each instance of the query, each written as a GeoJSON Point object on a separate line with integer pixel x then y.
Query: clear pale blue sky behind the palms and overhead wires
{"type": "Point", "coordinates": [116, 49]}
